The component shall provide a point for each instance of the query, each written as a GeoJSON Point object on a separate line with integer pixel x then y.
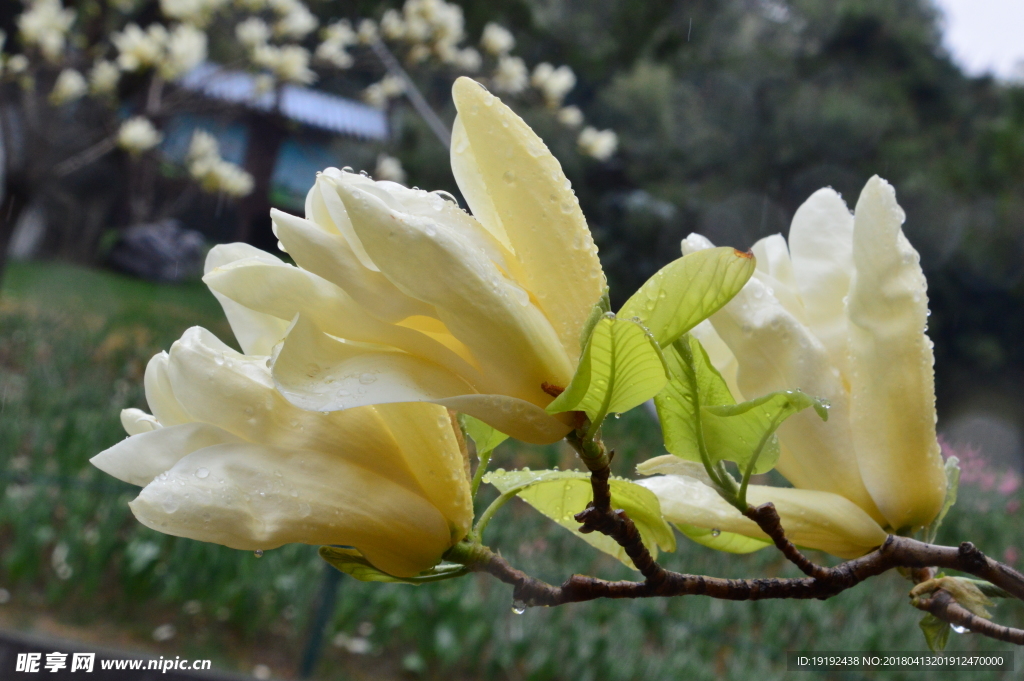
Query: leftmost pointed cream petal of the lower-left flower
{"type": "Point", "coordinates": [142, 458]}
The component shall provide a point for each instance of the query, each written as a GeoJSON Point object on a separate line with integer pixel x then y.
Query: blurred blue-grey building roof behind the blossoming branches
{"type": "Point", "coordinates": [304, 105]}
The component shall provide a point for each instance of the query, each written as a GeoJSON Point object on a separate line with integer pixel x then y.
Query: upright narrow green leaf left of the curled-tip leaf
{"type": "Point", "coordinates": [695, 381]}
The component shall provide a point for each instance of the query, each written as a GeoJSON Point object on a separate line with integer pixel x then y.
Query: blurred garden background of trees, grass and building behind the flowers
{"type": "Point", "coordinates": [135, 135]}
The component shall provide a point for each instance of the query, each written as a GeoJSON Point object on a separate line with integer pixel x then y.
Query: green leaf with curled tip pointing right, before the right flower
{"type": "Point", "coordinates": [746, 433]}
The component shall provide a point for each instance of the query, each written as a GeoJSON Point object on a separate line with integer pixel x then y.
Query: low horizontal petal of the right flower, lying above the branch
{"type": "Point", "coordinates": [812, 519]}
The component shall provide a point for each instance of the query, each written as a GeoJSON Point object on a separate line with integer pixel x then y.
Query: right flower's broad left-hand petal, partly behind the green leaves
{"type": "Point", "coordinates": [777, 353]}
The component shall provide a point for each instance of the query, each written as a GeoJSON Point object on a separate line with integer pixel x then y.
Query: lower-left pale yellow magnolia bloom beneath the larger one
{"type": "Point", "coordinates": [224, 458]}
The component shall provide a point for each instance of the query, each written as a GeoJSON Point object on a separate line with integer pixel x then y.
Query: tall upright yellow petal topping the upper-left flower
{"type": "Point", "coordinates": [525, 189]}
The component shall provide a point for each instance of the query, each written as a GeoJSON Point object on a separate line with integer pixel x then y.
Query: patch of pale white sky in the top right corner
{"type": "Point", "coordinates": [986, 35]}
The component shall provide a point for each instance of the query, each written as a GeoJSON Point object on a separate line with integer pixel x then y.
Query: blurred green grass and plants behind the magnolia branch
{"type": "Point", "coordinates": [73, 349]}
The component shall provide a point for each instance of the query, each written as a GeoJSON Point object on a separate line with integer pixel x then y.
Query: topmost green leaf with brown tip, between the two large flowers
{"type": "Point", "coordinates": [688, 291]}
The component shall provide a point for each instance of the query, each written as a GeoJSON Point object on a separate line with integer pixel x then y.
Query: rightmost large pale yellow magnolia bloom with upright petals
{"type": "Point", "coordinates": [840, 314]}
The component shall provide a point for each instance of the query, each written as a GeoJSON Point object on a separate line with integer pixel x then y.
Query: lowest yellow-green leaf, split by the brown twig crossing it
{"type": "Point", "coordinates": [561, 495]}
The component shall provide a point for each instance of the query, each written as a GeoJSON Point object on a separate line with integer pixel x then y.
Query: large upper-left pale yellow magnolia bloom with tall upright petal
{"type": "Point", "coordinates": [402, 296]}
